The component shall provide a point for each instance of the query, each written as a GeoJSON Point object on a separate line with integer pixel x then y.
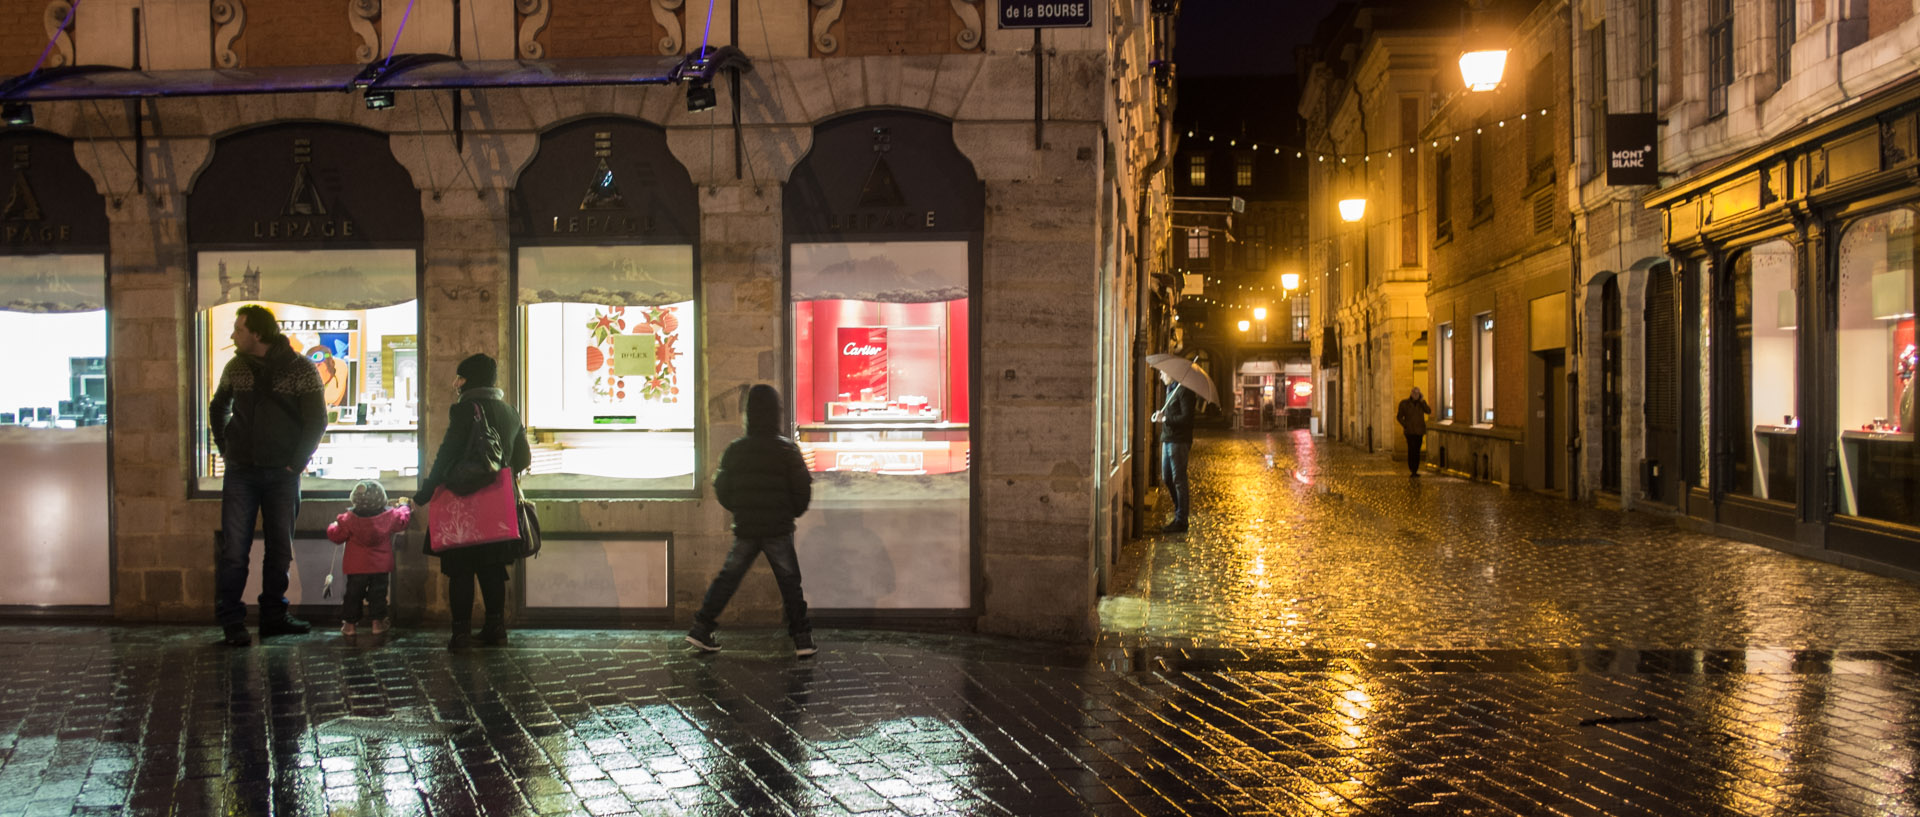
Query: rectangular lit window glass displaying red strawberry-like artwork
{"type": "Point", "coordinates": [608, 365]}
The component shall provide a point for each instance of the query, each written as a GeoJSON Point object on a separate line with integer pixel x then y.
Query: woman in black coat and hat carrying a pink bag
{"type": "Point", "coordinates": [479, 563]}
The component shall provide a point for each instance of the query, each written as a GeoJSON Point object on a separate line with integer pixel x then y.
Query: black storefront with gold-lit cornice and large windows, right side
{"type": "Point", "coordinates": [1796, 266]}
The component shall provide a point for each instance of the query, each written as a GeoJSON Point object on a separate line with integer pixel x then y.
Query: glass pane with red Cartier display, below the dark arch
{"type": "Point", "coordinates": [880, 404]}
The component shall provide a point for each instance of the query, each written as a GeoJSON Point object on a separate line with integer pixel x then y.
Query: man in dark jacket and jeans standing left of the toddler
{"type": "Point", "coordinates": [268, 417]}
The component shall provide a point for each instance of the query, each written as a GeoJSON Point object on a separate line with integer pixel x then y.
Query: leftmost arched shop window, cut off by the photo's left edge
{"type": "Point", "coordinates": [53, 377]}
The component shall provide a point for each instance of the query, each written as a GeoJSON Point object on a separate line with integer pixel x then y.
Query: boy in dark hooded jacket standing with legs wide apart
{"type": "Point", "coordinates": [763, 480]}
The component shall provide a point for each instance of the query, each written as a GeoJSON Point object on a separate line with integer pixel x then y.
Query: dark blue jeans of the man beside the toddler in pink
{"type": "Point", "coordinates": [274, 496]}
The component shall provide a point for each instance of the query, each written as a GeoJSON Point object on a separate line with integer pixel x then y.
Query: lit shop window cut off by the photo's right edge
{"type": "Point", "coordinates": [1879, 459]}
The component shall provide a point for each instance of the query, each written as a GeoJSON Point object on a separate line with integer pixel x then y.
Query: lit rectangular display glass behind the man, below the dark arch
{"type": "Point", "coordinates": [350, 312]}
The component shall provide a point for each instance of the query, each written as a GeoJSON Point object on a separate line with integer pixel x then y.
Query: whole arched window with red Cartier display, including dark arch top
{"type": "Point", "coordinates": [884, 241]}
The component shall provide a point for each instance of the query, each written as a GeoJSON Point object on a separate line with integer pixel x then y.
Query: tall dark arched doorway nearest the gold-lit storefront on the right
{"type": "Point", "coordinates": [1662, 323]}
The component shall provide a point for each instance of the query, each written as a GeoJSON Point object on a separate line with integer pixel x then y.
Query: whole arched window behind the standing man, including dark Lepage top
{"type": "Point", "coordinates": [324, 227]}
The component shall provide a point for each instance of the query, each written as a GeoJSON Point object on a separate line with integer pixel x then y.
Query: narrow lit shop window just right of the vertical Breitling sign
{"type": "Point", "coordinates": [1765, 319]}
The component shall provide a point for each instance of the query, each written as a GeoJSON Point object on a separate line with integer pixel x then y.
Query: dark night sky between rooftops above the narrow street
{"type": "Point", "coordinates": [1245, 37]}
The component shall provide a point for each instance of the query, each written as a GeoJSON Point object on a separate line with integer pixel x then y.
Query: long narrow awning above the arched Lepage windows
{"type": "Point", "coordinates": [408, 72]}
